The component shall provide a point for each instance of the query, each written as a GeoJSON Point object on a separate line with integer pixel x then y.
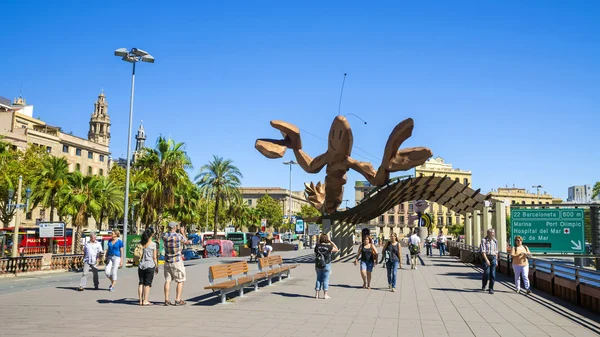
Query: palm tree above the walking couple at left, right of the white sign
{"type": "Point", "coordinates": [81, 201]}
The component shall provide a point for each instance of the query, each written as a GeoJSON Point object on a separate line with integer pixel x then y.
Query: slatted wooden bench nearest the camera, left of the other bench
{"type": "Point", "coordinates": [237, 278]}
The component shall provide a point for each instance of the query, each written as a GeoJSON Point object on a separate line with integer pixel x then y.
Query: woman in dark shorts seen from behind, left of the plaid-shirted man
{"type": "Point", "coordinates": [148, 266]}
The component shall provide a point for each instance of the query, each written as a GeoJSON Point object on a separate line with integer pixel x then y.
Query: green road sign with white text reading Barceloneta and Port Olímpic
{"type": "Point", "coordinates": [549, 230]}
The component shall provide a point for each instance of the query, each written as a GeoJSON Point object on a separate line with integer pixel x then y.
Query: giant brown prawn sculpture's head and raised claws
{"type": "Point", "coordinates": [337, 158]}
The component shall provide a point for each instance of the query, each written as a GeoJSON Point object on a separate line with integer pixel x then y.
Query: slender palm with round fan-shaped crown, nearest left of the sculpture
{"type": "Point", "coordinates": [219, 180]}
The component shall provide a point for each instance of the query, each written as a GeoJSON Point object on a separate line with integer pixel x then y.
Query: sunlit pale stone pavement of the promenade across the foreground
{"type": "Point", "coordinates": [442, 298]}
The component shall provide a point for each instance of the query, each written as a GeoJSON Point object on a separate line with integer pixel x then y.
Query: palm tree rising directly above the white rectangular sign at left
{"type": "Point", "coordinates": [51, 180]}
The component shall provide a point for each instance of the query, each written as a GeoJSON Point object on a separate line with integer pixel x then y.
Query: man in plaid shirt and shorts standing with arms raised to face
{"type": "Point", "coordinates": [174, 269]}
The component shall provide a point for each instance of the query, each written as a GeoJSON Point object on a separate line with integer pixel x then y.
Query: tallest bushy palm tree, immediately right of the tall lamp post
{"type": "Point", "coordinates": [163, 168]}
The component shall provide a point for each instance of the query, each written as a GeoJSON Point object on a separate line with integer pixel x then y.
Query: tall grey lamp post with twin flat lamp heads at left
{"type": "Point", "coordinates": [132, 56]}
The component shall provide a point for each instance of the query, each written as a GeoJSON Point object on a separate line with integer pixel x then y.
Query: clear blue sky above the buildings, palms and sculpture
{"type": "Point", "coordinates": [507, 89]}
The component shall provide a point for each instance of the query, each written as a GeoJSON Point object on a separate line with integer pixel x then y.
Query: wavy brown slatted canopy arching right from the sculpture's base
{"type": "Point", "coordinates": [442, 190]}
